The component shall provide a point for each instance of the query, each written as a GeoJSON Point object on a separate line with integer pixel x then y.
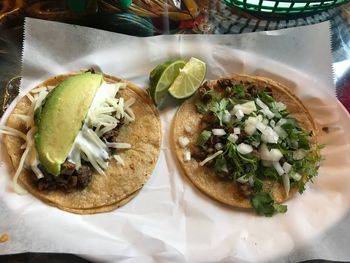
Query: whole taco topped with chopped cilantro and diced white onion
{"type": "Point", "coordinates": [247, 142]}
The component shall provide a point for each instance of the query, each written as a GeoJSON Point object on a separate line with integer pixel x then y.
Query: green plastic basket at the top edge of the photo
{"type": "Point", "coordinates": [285, 7]}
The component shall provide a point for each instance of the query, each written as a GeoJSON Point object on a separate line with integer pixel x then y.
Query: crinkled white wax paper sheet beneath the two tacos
{"type": "Point", "coordinates": [170, 220]}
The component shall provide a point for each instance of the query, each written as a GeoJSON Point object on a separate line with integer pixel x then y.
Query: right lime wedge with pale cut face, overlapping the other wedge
{"type": "Point", "coordinates": [190, 78]}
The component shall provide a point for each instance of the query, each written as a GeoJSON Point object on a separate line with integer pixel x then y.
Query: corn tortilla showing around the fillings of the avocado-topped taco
{"type": "Point", "coordinates": [121, 183]}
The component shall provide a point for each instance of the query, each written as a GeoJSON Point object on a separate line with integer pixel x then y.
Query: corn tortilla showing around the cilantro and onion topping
{"type": "Point", "coordinates": [201, 176]}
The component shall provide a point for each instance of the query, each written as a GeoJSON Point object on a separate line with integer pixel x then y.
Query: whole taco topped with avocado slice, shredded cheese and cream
{"type": "Point", "coordinates": [83, 142]}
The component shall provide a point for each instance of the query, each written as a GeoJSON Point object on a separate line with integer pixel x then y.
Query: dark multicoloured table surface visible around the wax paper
{"type": "Point", "coordinates": [146, 18]}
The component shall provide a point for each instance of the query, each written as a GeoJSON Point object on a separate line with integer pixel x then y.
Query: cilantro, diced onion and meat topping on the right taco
{"type": "Point", "coordinates": [248, 137]}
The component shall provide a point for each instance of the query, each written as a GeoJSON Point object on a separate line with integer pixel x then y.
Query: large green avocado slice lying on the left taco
{"type": "Point", "coordinates": [61, 117]}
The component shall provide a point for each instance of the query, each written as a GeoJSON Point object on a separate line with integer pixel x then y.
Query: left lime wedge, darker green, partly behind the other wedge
{"type": "Point", "coordinates": [161, 78]}
